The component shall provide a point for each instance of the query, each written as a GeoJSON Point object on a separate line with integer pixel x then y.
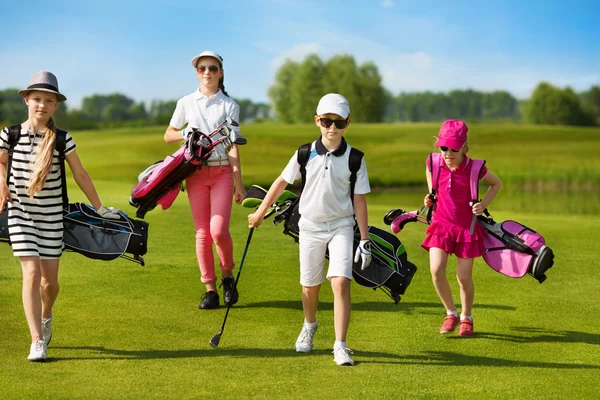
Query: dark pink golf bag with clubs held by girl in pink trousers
{"type": "Point", "coordinates": [161, 182]}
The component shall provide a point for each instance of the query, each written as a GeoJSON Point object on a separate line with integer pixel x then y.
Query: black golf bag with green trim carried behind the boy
{"type": "Point", "coordinates": [389, 270]}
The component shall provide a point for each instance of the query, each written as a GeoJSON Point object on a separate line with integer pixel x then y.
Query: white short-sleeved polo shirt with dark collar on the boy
{"type": "Point", "coordinates": [326, 193]}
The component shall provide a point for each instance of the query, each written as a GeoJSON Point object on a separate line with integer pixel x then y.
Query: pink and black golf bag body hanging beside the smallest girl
{"type": "Point", "coordinates": [514, 250]}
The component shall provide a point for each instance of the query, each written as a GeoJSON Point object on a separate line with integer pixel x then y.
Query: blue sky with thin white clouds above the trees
{"type": "Point", "coordinates": [143, 48]}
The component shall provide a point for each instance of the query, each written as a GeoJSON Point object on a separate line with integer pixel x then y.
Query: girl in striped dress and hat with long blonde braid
{"type": "Point", "coordinates": [32, 190]}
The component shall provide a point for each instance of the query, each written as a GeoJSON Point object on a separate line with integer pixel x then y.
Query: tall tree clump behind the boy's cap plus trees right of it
{"type": "Point", "coordinates": [299, 85]}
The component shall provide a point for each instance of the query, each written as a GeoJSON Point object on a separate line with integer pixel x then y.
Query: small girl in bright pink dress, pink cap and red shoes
{"type": "Point", "coordinates": [449, 232]}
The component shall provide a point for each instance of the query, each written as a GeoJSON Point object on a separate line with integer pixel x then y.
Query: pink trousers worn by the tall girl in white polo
{"type": "Point", "coordinates": [210, 192]}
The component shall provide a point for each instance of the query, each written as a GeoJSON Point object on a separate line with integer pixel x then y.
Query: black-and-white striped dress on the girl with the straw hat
{"type": "Point", "coordinates": [35, 225]}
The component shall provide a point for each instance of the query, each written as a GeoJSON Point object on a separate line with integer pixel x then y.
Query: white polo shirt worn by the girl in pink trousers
{"type": "Point", "coordinates": [205, 113]}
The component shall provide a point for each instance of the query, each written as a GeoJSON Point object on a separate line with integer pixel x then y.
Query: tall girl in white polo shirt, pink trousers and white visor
{"type": "Point", "coordinates": [210, 189]}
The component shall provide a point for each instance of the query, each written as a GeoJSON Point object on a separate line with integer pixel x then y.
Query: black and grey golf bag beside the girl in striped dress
{"type": "Point", "coordinates": [87, 233]}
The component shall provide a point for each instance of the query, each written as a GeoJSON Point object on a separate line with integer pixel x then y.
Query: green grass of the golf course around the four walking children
{"type": "Point", "coordinates": [127, 331]}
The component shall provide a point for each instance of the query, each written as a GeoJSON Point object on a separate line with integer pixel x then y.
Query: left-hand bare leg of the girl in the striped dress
{"type": "Point", "coordinates": [32, 302]}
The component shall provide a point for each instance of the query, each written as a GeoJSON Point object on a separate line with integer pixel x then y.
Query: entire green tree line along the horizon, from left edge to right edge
{"type": "Point", "coordinates": [298, 86]}
